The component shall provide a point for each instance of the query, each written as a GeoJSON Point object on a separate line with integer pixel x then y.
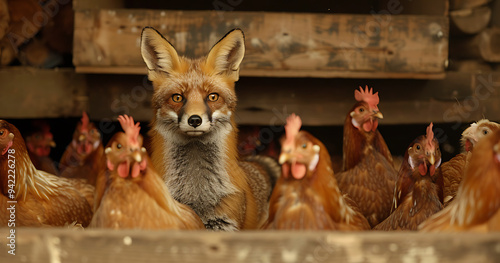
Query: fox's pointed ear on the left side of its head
{"type": "Point", "coordinates": [157, 52]}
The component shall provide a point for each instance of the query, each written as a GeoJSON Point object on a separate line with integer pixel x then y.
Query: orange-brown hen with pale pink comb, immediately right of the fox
{"type": "Point", "coordinates": [306, 196]}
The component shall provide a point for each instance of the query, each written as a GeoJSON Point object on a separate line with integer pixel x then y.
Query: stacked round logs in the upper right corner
{"type": "Point", "coordinates": [474, 35]}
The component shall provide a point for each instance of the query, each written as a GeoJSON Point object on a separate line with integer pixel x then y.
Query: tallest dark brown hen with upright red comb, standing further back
{"type": "Point", "coordinates": [368, 173]}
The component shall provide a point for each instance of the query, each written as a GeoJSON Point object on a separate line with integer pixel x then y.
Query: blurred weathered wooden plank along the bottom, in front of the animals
{"type": "Point", "coordinates": [110, 246]}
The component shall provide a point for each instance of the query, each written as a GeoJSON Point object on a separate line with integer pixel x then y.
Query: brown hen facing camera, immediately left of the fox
{"type": "Point", "coordinates": [134, 195]}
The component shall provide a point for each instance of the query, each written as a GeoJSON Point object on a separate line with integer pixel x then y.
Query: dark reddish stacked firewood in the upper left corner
{"type": "Point", "coordinates": [36, 33]}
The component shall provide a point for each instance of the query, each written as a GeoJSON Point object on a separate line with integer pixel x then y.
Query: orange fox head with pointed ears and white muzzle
{"type": "Point", "coordinates": [193, 97]}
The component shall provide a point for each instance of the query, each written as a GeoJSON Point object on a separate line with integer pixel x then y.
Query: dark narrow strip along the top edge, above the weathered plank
{"type": "Point", "coordinates": [421, 7]}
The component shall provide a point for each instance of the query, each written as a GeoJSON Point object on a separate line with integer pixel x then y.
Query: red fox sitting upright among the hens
{"type": "Point", "coordinates": [194, 135]}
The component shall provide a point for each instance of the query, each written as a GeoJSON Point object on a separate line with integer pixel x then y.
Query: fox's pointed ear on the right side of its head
{"type": "Point", "coordinates": [225, 57]}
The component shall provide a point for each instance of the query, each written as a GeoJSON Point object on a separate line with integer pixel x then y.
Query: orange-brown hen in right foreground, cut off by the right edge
{"type": "Point", "coordinates": [476, 206]}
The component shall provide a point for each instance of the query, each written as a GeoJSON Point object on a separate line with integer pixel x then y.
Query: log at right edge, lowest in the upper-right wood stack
{"type": "Point", "coordinates": [485, 46]}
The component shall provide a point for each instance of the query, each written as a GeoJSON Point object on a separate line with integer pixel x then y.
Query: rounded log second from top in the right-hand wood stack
{"type": "Point", "coordinates": [469, 21]}
